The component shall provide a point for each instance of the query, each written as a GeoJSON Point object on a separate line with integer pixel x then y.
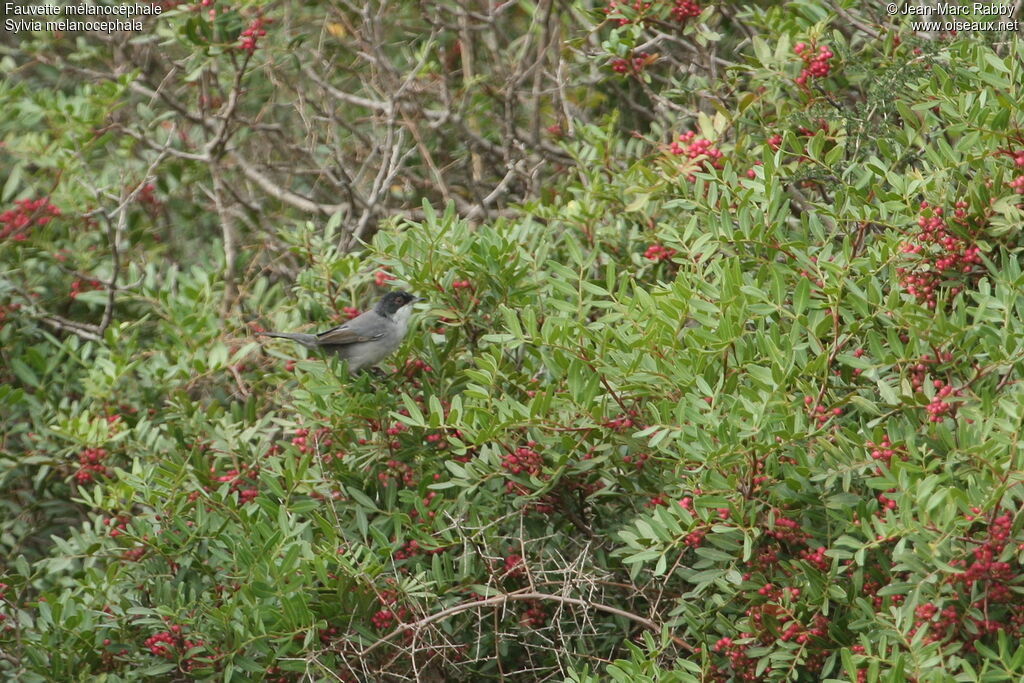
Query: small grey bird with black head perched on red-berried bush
{"type": "Point", "coordinates": [368, 338]}
